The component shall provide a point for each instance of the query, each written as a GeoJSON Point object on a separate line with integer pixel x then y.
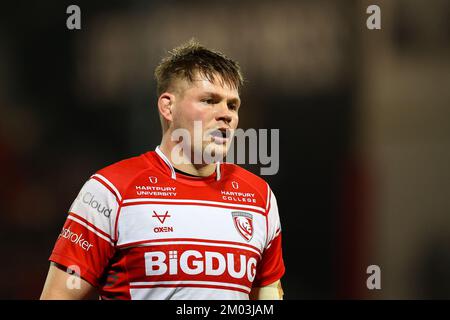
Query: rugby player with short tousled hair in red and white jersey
{"type": "Point", "coordinates": [177, 222]}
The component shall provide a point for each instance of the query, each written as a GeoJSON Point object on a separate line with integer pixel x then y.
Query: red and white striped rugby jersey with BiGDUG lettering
{"type": "Point", "coordinates": [139, 230]}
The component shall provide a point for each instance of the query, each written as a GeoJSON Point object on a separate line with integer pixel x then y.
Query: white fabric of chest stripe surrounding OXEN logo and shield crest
{"type": "Point", "coordinates": [137, 223]}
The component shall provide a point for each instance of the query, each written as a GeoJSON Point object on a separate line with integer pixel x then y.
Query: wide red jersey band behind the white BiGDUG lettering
{"type": "Point", "coordinates": [191, 262]}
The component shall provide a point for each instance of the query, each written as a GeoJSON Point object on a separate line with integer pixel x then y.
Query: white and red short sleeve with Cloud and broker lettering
{"type": "Point", "coordinates": [86, 241]}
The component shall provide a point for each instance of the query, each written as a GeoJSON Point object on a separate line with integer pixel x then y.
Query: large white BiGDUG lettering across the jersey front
{"type": "Point", "coordinates": [226, 265]}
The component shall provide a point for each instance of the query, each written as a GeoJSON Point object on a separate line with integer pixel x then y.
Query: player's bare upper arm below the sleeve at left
{"type": "Point", "coordinates": [61, 285]}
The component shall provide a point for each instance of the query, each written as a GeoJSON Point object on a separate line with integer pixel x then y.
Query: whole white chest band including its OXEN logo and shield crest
{"type": "Point", "coordinates": [168, 220]}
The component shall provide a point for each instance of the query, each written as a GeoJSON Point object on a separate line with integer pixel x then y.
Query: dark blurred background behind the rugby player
{"type": "Point", "coordinates": [364, 119]}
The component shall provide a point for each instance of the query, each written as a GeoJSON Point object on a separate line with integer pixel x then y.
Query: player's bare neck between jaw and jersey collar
{"type": "Point", "coordinates": [200, 170]}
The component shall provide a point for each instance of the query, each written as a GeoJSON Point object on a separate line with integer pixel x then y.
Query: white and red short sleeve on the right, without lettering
{"type": "Point", "coordinates": [271, 267]}
